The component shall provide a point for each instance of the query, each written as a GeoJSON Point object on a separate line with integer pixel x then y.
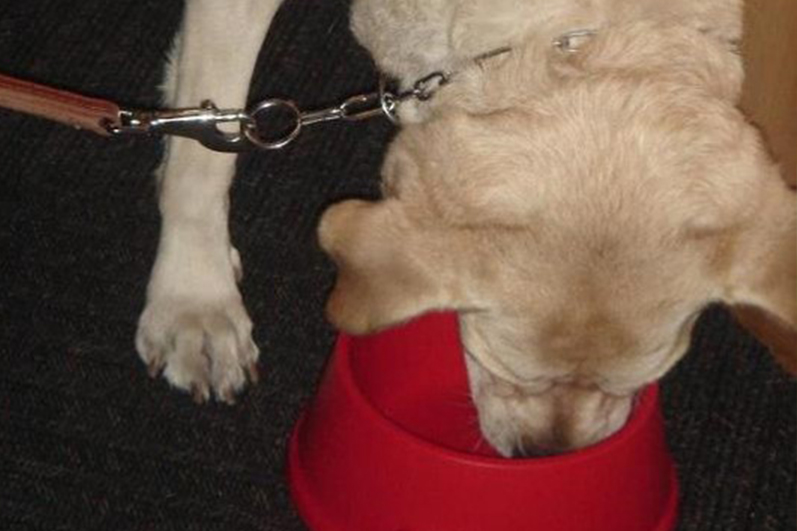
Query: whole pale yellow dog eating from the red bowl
{"type": "Point", "coordinates": [581, 189]}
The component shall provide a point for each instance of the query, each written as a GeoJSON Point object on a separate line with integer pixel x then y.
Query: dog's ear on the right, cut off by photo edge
{"type": "Point", "coordinates": [763, 282]}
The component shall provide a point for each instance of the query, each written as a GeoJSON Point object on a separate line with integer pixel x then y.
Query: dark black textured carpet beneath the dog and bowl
{"type": "Point", "coordinates": [88, 441]}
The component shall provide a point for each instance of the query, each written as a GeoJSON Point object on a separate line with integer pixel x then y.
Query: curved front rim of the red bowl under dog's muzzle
{"type": "Point", "coordinates": [645, 407]}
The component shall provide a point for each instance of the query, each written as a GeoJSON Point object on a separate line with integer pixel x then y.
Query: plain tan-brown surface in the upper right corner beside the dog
{"type": "Point", "coordinates": [770, 90]}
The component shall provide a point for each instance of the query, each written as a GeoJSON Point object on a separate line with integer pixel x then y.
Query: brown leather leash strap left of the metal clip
{"type": "Point", "coordinates": [68, 108]}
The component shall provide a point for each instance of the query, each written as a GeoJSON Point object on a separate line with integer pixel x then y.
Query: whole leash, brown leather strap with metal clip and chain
{"type": "Point", "coordinates": [107, 118]}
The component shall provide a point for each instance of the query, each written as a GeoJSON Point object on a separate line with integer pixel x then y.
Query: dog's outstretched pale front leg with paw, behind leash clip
{"type": "Point", "coordinates": [195, 327]}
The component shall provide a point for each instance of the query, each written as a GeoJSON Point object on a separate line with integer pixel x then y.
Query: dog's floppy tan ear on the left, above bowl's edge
{"type": "Point", "coordinates": [389, 269]}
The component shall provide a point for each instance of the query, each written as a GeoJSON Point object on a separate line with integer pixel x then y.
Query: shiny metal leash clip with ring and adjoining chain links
{"type": "Point", "coordinates": [202, 123]}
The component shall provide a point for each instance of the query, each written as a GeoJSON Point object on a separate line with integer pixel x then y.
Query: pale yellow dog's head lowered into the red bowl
{"type": "Point", "coordinates": [579, 233]}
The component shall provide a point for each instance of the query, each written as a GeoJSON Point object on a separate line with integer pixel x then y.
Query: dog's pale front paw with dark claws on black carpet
{"type": "Point", "coordinates": [196, 331]}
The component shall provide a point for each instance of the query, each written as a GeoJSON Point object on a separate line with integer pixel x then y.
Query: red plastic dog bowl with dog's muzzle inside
{"type": "Point", "coordinates": [391, 443]}
